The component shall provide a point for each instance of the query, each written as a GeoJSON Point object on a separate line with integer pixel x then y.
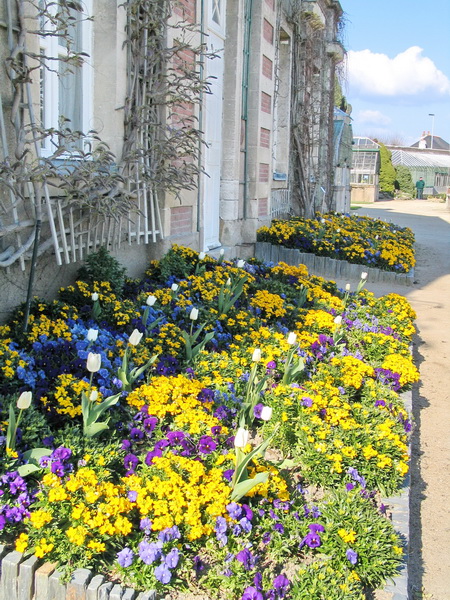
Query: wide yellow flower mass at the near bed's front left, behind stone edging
{"type": "Point", "coordinates": [174, 491]}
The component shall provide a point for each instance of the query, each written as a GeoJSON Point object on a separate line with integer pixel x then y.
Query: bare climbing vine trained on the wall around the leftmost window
{"type": "Point", "coordinates": [162, 139]}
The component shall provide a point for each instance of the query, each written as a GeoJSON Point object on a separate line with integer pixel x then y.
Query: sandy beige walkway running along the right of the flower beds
{"type": "Point", "coordinates": [429, 555]}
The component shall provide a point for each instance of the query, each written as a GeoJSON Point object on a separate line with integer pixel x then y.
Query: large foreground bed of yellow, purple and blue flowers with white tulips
{"type": "Point", "coordinates": [220, 428]}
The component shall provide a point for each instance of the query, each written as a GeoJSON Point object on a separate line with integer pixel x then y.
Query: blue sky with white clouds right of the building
{"type": "Point", "coordinates": [397, 71]}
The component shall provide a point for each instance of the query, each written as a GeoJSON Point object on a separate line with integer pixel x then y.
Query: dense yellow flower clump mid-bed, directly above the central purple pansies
{"type": "Point", "coordinates": [175, 399]}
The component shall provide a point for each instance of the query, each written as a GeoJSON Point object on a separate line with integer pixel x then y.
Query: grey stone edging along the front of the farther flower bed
{"type": "Point", "coordinates": [329, 267]}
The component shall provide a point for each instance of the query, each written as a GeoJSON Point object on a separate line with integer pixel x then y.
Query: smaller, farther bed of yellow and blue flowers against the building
{"type": "Point", "coordinates": [356, 239]}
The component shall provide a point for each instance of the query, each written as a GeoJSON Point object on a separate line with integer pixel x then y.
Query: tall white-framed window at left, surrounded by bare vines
{"type": "Point", "coordinates": [65, 81]}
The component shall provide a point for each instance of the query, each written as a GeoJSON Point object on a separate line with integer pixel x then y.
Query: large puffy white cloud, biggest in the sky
{"type": "Point", "coordinates": [409, 74]}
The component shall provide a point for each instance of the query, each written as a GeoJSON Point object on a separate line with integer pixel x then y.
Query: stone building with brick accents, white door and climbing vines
{"type": "Point", "coordinates": [263, 129]}
